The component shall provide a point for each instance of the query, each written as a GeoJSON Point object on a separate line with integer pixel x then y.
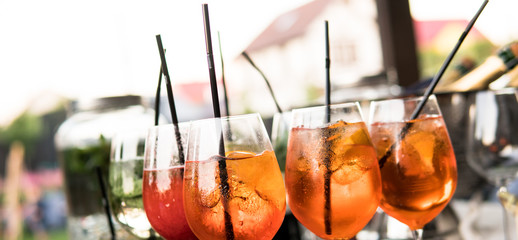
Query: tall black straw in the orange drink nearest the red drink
{"type": "Point", "coordinates": [223, 175]}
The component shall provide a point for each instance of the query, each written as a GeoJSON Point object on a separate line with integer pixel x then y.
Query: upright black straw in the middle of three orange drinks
{"type": "Point", "coordinates": [327, 159]}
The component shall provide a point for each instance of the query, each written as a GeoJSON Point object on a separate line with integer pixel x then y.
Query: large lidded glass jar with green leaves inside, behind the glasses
{"type": "Point", "coordinates": [83, 146]}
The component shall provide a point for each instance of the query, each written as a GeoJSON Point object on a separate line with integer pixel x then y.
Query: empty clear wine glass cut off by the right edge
{"type": "Point", "coordinates": [492, 142]}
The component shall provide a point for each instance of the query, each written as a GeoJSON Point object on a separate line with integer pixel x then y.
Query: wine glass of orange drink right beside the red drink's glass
{"type": "Point", "coordinates": [233, 187]}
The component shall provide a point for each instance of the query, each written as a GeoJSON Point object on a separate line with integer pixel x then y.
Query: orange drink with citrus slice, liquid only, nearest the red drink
{"type": "Point", "coordinates": [257, 201]}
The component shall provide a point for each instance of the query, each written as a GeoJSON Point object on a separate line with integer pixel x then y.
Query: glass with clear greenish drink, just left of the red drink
{"type": "Point", "coordinates": [125, 181]}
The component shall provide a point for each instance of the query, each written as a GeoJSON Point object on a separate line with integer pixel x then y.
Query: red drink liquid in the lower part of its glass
{"type": "Point", "coordinates": [163, 202]}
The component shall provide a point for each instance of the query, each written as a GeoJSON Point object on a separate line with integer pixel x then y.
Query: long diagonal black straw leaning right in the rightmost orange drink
{"type": "Point", "coordinates": [434, 82]}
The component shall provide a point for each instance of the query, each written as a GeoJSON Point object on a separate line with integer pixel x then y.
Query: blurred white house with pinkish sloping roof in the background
{"type": "Point", "coordinates": [291, 53]}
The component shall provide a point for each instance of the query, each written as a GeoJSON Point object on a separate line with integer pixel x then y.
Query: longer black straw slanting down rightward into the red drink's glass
{"type": "Point", "coordinates": [171, 99]}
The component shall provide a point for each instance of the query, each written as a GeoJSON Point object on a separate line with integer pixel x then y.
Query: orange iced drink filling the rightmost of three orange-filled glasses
{"type": "Point", "coordinates": [420, 177]}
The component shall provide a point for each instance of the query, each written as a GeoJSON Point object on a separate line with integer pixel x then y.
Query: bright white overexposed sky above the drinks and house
{"type": "Point", "coordinates": [84, 49]}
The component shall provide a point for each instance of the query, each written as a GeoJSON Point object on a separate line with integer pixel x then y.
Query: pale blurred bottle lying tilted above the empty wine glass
{"type": "Point", "coordinates": [491, 69]}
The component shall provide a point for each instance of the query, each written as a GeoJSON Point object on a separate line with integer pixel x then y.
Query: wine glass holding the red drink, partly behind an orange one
{"type": "Point", "coordinates": [162, 185]}
